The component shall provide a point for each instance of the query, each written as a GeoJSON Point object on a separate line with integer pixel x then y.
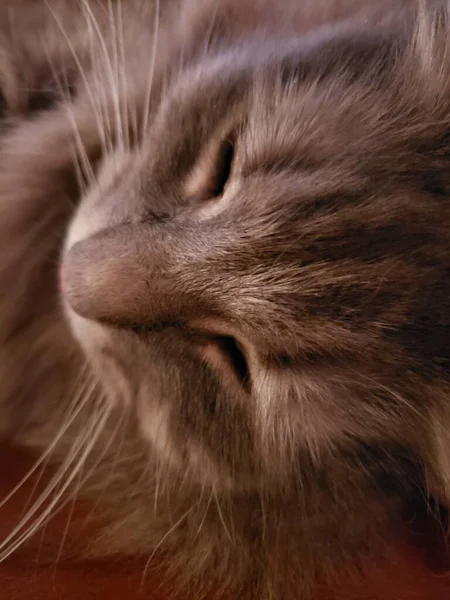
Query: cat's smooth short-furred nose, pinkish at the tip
{"type": "Point", "coordinates": [128, 276]}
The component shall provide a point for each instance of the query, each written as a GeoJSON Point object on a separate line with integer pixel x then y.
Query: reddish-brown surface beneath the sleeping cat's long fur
{"type": "Point", "coordinates": [36, 573]}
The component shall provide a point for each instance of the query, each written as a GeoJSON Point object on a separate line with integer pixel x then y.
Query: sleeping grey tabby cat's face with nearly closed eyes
{"type": "Point", "coordinates": [253, 279]}
